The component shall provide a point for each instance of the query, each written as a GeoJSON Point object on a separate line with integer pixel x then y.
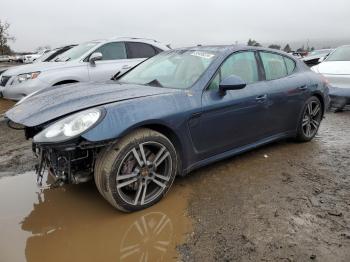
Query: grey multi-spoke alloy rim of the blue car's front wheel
{"type": "Point", "coordinates": [144, 173]}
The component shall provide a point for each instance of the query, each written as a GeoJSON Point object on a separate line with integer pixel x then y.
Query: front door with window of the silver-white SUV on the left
{"type": "Point", "coordinates": [114, 59]}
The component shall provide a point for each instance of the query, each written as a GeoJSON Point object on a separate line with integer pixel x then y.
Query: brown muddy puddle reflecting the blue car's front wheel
{"type": "Point", "coordinates": [74, 223]}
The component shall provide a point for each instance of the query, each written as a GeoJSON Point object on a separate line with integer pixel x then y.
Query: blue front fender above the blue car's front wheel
{"type": "Point", "coordinates": [122, 117]}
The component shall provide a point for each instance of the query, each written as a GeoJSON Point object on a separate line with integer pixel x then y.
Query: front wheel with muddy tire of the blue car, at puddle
{"type": "Point", "coordinates": [114, 160]}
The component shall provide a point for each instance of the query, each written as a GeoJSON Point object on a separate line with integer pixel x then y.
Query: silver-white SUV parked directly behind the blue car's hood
{"type": "Point", "coordinates": [96, 61]}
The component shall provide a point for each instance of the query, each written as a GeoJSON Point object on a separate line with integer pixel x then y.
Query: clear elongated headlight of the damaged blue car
{"type": "Point", "coordinates": [69, 127]}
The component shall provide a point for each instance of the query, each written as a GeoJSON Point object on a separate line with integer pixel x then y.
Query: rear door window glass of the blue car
{"type": "Point", "coordinates": [274, 65]}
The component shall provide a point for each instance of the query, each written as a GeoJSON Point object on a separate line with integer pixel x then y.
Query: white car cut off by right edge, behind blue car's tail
{"type": "Point", "coordinates": [336, 68]}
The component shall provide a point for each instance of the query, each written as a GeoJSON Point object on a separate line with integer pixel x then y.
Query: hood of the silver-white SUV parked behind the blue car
{"type": "Point", "coordinates": [35, 67]}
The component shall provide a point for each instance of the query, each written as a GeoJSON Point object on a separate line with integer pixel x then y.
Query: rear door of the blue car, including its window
{"type": "Point", "coordinates": [287, 91]}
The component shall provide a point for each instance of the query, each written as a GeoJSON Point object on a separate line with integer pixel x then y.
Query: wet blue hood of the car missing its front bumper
{"type": "Point", "coordinates": [62, 100]}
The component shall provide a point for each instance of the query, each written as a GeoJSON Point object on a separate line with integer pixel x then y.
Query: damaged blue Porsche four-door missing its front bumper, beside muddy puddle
{"type": "Point", "coordinates": [175, 112]}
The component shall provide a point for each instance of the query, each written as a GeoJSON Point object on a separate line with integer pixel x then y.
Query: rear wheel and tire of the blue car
{"type": "Point", "coordinates": [310, 120]}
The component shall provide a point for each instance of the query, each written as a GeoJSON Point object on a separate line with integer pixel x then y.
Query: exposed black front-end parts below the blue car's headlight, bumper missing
{"type": "Point", "coordinates": [67, 165]}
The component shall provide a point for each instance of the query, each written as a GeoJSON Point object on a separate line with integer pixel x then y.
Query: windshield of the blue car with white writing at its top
{"type": "Point", "coordinates": [175, 69]}
